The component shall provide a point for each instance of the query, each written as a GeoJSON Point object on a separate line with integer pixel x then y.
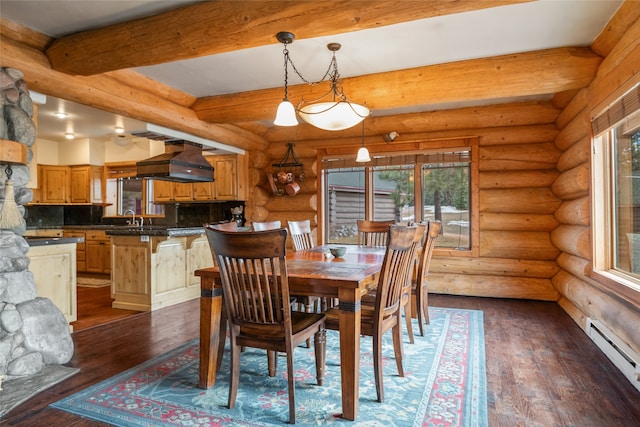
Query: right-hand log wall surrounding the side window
{"type": "Point", "coordinates": [581, 296]}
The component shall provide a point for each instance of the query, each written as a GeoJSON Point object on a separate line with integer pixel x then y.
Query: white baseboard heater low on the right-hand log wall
{"type": "Point", "coordinates": [625, 359]}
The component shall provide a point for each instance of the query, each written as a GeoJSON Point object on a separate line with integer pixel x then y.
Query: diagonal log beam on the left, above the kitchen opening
{"type": "Point", "coordinates": [126, 93]}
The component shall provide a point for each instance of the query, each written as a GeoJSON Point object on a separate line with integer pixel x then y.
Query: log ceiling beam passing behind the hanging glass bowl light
{"type": "Point", "coordinates": [522, 74]}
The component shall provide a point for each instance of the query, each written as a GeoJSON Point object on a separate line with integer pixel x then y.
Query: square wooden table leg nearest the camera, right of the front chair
{"type": "Point", "coordinates": [349, 325]}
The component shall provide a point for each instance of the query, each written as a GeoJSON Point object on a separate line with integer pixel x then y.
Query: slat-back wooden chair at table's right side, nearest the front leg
{"type": "Point", "coordinates": [384, 315]}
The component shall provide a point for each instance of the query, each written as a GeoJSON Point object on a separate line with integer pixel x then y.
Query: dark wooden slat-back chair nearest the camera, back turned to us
{"type": "Point", "coordinates": [255, 286]}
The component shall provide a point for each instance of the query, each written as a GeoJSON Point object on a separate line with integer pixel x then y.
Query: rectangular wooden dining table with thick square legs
{"type": "Point", "coordinates": [312, 272]}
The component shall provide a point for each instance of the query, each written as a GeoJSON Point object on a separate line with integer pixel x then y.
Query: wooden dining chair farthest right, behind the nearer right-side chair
{"type": "Point", "coordinates": [419, 287]}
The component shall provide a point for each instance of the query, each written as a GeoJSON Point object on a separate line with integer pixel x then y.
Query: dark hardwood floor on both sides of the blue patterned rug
{"type": "Point", "coordinates": [542, 370]}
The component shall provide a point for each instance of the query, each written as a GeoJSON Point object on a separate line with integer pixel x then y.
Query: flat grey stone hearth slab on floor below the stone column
{"type": "Point", "coordinates": [18, 390]}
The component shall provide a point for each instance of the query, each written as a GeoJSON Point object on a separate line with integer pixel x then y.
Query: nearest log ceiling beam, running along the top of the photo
{"type": "Point", "coordinates": [213, 27]}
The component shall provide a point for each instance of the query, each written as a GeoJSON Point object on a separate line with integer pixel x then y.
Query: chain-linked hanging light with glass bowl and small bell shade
{"type": "Point", "coordinates": [336, 113]}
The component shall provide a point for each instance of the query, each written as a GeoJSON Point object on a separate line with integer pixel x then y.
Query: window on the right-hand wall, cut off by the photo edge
{"type": "Point", "coordinates": [616, 192]}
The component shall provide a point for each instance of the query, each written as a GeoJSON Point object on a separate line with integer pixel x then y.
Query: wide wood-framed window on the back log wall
{"type": "Point", "coordinates": [403, 187]}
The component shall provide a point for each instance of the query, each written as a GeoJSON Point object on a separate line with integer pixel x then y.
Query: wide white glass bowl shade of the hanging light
{"type": "Point", "coordinates": [333, 115]}
